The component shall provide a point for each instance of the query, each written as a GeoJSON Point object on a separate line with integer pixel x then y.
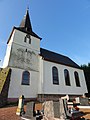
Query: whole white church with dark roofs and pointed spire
{"type": "Point", "coordinates": [35, 72]}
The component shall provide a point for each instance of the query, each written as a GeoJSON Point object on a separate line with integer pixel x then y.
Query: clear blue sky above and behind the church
{"type": "Point", "coordinates": [63, 25]}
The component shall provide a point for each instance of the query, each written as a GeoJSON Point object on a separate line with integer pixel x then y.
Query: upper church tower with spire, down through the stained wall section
{"type": "Point", "coordinates": [23, 46]}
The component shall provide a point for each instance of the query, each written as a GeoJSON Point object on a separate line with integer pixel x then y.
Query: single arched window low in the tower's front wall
{"type": "Point", "coordinates": [25, 78]}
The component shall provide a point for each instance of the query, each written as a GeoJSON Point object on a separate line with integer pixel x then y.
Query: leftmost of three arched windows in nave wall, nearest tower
{"type": "Point", "coordinates": [55, 75]}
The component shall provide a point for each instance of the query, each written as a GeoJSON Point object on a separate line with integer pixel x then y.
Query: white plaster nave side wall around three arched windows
{"type": "Point", "coordinates": [50, 88]}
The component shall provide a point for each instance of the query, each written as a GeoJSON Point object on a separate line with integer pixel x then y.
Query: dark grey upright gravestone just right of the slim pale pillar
{"type": "Point", "coordinates": [30, 111]}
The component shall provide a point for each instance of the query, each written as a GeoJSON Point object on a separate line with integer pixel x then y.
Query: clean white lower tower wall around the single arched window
{"type": "Point", "coordinates": [16, 89]}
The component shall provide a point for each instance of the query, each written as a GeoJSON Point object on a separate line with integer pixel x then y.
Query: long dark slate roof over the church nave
{"type": "Point", "coordinates": [57, 58]}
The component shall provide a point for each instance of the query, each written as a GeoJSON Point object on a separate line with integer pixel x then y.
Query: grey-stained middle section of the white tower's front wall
{"type": "Point", "coordinates": [23, 60]}
